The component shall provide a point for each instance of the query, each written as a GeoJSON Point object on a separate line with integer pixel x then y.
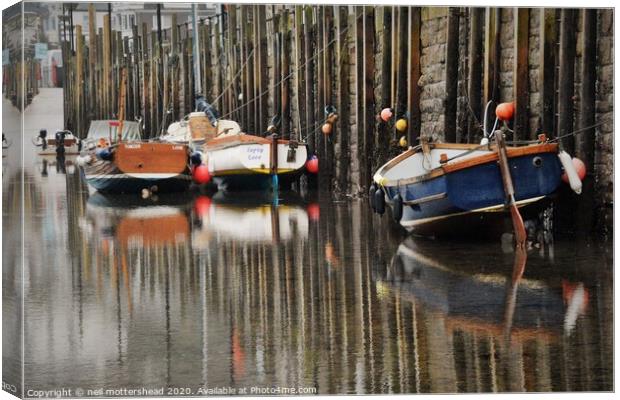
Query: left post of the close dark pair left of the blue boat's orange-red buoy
{"type": "Point", "coordinates": [474, 78]}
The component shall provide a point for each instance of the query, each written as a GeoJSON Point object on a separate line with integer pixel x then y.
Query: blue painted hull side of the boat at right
{"type": "Point", "coordinates": [474, 190]}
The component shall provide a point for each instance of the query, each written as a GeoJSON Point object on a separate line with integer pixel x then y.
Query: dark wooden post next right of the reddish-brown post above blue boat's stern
{"type": "Point", "coordinates": [547, 69]}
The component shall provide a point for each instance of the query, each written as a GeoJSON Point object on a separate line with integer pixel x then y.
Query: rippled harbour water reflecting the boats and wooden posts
{"type": "Point", "coordinates": [207, 291]}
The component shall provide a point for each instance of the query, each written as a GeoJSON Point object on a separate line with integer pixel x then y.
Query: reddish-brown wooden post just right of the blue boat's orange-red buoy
{"type": "Point", "coordinates": [521, 74]}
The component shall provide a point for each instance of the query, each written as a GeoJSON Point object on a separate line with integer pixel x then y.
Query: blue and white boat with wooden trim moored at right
{"type": "Point", "coordinates": [435, 187]}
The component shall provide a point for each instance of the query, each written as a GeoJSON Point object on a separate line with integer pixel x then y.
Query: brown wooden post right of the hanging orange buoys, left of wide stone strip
{"type": "Point", "coordinates": [413, 100]}
